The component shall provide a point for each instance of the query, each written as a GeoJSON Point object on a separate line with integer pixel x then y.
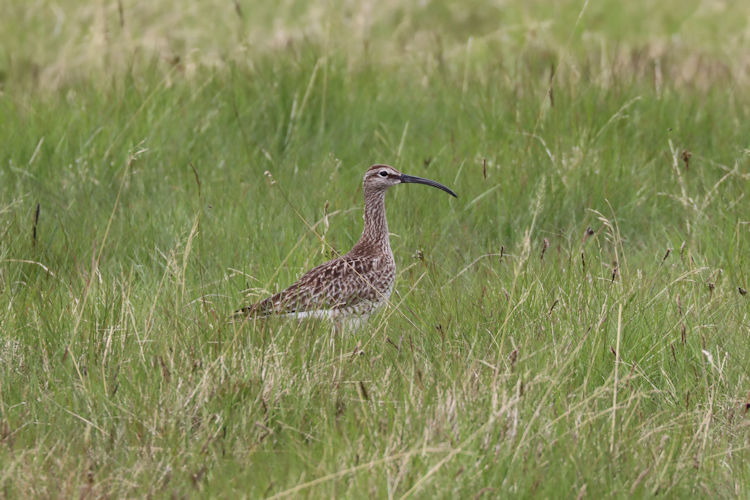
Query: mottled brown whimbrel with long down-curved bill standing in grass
{"type": "Point", "coordinates": [349, 288]}
